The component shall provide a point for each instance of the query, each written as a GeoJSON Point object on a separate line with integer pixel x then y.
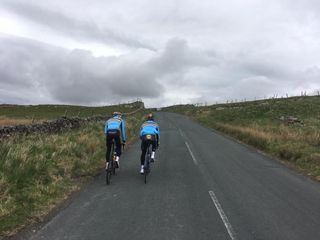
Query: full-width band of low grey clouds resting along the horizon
{"type": "Point", "coordinates": [177, 73]}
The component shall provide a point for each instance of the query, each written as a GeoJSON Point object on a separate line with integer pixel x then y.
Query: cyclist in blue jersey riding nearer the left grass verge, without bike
{"type": "Point", "coordinates": [114, 128]}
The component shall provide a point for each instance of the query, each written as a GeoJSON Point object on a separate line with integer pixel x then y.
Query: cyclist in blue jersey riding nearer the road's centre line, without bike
{"type": "Point", "coordinates": [149, 127]}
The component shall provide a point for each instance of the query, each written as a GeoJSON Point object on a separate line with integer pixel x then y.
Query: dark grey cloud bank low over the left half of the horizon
{"type": "Point", "coordinates": [73, 77]}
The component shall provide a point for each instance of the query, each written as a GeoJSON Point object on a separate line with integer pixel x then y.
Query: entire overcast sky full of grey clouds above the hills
{"type": "Point", "coordinates": [95, 52]}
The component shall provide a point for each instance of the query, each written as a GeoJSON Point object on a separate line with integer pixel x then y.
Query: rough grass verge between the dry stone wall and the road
{"type": "Point", "coordinates": [38, 172]}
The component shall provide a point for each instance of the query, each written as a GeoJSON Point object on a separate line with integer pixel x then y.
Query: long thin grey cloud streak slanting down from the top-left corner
{"type": "Point", "coordinates": [71, 27]}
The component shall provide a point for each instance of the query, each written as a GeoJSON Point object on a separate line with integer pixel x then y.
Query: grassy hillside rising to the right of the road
{"type": "Point", "coordinates": [258, 124]}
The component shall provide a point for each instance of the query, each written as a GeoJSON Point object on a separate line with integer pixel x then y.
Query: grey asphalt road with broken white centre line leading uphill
{"type": "Point", "coordinates": [202, 186]}
